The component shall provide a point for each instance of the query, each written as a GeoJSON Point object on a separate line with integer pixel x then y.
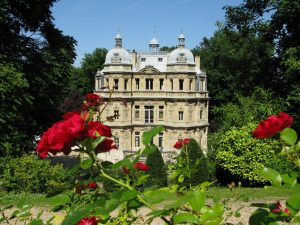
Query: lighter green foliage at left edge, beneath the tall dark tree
{"type": "Point", "coordinates": [13, 98]}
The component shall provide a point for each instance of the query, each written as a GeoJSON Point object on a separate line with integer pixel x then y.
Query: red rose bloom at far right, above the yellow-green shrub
{"type": "Point", "coordinates": [273, 125]}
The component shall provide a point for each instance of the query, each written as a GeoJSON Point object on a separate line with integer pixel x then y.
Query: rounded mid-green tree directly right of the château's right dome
{"type": "Point", "coordinates": [235, 62]}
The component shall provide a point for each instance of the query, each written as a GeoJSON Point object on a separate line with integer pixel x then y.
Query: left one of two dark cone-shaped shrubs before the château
{"type": "Point", "coordinates": [158, 170]}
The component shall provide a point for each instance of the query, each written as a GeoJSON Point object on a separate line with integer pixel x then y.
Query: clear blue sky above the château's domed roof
{"type": "Point", "coordinates": [94, 23]}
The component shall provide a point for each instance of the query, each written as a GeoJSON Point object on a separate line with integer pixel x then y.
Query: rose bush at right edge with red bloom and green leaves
{"type": "Point", "coordinates": [273, 125]}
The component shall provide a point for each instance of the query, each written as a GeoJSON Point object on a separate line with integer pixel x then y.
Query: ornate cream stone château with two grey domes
{"type": "Point", "coordinates": [153, 88]}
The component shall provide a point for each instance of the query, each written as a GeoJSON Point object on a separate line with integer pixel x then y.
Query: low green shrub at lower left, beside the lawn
{"type": "Point", "coordinates": [30, 174]}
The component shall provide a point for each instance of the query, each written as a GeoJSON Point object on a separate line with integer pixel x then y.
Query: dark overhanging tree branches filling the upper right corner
{"type": "Point", "coordinates": [281, 29]}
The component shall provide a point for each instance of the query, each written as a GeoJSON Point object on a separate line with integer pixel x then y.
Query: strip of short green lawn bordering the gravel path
{"type": "Point", "coordinates": [215, 193]}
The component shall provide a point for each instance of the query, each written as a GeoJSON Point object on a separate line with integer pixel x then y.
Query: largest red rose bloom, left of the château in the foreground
{"type": "Point", "coordinates": [61, 135]}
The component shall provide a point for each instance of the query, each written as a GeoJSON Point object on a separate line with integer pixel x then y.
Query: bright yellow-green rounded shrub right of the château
{"type": "Point", "coordinates": [244, 156]}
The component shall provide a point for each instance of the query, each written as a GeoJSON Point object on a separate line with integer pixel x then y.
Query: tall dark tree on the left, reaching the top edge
{"type": "Point", "coordinates": [31, 45]}
